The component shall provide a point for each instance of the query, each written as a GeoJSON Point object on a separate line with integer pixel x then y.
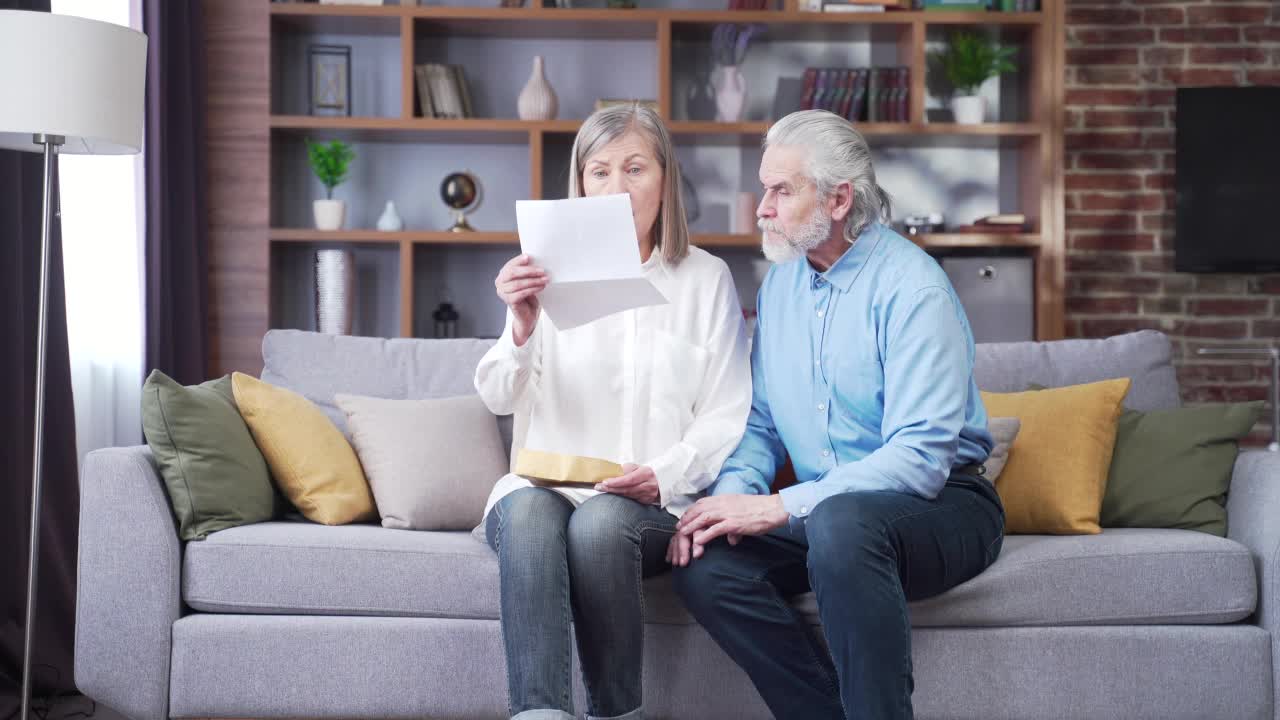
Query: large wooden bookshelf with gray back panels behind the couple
{"type": "Point", "coordinates": [258, 63]}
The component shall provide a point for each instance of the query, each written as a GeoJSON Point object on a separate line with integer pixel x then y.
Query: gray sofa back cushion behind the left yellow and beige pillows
{"type": "Point", "coordinates": [319, 366]}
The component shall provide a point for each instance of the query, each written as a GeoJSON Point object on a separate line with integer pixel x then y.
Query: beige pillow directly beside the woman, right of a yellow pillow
{"type": "Point", "coordinates": [432, 464]}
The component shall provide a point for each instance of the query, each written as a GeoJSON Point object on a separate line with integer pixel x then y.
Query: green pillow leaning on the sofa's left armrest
{"type": "Point", "coordinates": [214, 473]}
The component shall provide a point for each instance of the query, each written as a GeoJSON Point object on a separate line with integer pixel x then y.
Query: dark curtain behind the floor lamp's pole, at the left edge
{"type": "Point", "coordinates": [22, 180]}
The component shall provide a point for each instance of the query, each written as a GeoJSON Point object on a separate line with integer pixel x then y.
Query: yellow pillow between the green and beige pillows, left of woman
{"type": "Point", "coordinates": [312, 463]}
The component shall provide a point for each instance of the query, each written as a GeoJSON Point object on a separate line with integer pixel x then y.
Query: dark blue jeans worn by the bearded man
{"type": "Point", "coordinates": [865, 557]}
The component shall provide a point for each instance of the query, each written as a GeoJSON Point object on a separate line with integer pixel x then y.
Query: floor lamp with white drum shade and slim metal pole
{"type": "Point", "coordinates": [67, 85]}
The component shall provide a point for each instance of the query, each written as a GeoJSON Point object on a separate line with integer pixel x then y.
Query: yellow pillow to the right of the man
{"type": "Point", "coordinates": [1058, 466]}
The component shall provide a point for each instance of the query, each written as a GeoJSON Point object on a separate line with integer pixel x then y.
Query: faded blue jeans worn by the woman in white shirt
{"type": "Point", "coordinates": [560, 564]}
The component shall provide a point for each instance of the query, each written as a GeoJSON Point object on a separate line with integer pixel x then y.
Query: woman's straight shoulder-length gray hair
{"type": "Point", "coordinates": [605, 126]}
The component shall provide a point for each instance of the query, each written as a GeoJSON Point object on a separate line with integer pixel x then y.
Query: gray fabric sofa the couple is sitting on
{"type": "Point", "coordinates": [292, 619]}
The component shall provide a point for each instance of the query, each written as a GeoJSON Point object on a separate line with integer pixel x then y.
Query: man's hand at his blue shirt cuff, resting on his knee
{"type": "Point", "coordinates": [734, 516]}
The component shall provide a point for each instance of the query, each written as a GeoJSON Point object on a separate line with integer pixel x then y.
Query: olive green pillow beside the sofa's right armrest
{"type": "Point", "coordinates": [1173, 468]}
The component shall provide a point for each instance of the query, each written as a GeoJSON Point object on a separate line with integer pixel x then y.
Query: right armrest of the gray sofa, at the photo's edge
{"type": "Point", "coordinates": [1252, 509]}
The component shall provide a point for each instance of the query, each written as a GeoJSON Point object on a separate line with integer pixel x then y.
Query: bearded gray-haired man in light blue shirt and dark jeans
{"type": "Point", "coordinates": [863, 376]}
